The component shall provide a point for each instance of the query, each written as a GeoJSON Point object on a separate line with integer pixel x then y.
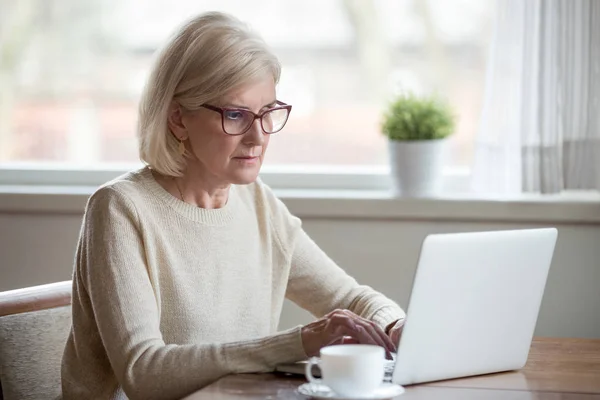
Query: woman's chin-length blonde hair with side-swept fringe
{"type": "Point", "coordinates": [209, 56]}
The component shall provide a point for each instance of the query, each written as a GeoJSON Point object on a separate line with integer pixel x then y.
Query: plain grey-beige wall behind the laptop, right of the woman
{"type": "Point", "coordinates": [387, 256]}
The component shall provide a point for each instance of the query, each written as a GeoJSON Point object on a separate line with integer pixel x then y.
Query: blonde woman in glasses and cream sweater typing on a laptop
{"type": "Point", "coordinates": [182, 267]}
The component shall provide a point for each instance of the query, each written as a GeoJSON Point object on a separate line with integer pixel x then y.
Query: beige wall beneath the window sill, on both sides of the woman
{"type": "Point", "coordinates": [37, 247]}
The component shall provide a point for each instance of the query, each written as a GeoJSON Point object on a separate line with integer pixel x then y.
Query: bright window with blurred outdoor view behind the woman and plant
{"type": "Point", "coordinates": [71, 72]}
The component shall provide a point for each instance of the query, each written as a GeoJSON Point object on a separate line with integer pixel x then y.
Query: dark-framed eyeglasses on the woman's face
{"type": "Point", "coordinates": [237, 121]}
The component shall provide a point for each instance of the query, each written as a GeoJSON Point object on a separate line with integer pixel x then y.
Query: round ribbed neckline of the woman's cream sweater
{"type": "Point", "coordinates": [215, 216]}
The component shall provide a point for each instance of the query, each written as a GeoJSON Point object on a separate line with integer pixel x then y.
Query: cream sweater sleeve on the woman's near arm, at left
{"type": "Point", "coordinates": [112, 269]}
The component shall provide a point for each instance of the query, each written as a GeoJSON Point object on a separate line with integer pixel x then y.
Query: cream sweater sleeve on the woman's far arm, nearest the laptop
{"type": "Point", "coordinates": [316, 283]}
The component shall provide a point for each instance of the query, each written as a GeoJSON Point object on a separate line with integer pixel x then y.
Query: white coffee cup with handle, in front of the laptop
{"type": "Point", "coordinates": [350, 369]}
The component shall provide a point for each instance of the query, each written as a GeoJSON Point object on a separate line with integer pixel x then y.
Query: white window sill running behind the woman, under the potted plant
{"type": "Point", "coordinates": [358, 204]}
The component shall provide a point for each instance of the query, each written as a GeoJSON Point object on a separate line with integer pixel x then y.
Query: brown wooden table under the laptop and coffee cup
{"type": "Point", "coordinates": [557, 369]}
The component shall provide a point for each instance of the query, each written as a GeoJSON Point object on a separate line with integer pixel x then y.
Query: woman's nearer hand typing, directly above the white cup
{"type": "Point", "coordinates": [343, 326]}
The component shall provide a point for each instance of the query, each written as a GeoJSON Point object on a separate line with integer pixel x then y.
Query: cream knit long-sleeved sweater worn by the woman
{"type": "Point", "coordinates": [168, 297]}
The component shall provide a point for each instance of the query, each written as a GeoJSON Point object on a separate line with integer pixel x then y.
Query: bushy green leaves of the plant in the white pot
{"type": "Point", "coordinates": [409, 117]}
